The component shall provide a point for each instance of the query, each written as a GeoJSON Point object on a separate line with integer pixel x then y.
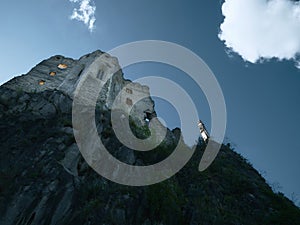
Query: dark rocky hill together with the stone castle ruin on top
{"type": "Point", "coordinates": [45, 180]}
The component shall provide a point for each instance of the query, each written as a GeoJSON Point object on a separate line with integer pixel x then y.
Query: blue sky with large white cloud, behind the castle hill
{"type": "Point", "coordinates": [262, 93]}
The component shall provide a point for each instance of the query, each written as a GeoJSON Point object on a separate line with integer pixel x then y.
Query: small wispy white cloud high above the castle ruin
{"type": "Point", "coordinates": [85, 13]}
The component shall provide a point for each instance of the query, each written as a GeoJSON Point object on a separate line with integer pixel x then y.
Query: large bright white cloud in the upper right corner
{"type": "Point", "coordinates": [262, 29]}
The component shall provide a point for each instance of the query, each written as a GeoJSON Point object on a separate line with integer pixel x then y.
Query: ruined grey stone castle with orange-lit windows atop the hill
{"type": "Point", "coordinates": [63, 74]}
